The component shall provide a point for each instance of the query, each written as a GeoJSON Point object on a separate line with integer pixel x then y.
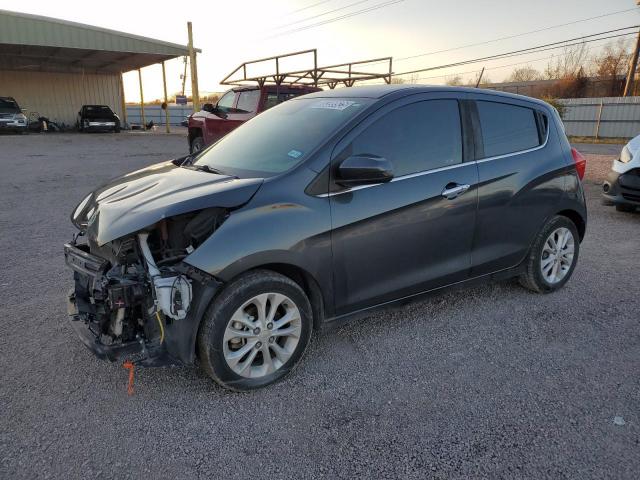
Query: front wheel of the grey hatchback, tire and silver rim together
{"type": "Point", "coordinates": [256, 331]}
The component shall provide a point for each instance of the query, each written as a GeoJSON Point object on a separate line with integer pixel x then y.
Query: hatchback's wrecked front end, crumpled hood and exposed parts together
{"type": "Point", "coordinates": [135, 296]}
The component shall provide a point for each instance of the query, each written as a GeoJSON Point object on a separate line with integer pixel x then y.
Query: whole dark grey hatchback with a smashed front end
{"type": "Point", "coordinates": [326, 207]}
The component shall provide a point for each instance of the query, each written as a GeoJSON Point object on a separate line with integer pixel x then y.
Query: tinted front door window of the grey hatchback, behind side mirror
{"type": "Point", "coordinates": [417, 137]}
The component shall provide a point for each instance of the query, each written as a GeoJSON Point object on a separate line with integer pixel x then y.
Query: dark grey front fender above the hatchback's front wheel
{"type": "Point", "coordinates": [293, 231]}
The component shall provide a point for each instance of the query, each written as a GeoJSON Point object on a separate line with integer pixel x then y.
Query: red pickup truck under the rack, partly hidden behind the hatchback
{"type": "Point", "coordinates": [234, 108]}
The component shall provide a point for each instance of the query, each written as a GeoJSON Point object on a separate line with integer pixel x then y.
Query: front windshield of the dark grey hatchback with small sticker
{"type": "Point", "coordinates": [282, 137]}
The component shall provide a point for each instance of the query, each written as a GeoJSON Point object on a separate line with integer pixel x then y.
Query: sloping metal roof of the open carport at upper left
{"type": "Point", "coordinates": [33, 43]}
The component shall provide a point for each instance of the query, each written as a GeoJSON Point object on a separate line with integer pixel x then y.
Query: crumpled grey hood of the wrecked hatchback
{"type": "Point", "coordinates": [140, 199]}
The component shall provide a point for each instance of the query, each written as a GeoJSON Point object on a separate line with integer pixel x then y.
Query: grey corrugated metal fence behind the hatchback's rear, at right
{"type": "Point", "coordinates": [613, 117]}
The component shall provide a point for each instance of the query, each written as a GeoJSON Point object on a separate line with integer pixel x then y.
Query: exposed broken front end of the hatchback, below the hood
{"type": "Point", "coordinates": [134, 298]}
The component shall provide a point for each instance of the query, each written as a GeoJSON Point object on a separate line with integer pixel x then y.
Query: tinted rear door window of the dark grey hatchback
{"type": "Point", "coordinates": [507, 128]}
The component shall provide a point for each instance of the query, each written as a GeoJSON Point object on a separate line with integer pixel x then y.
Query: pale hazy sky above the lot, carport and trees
{"type": "Point", "coordinates": [231, 32]}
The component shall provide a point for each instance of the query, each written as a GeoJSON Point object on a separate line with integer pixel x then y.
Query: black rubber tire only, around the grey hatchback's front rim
{"type": "Point", "coordinates": [219, 313]}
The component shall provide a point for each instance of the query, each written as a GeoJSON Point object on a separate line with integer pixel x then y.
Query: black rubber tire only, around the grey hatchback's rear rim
{"type": "Point", "coordinates": [532, 278]}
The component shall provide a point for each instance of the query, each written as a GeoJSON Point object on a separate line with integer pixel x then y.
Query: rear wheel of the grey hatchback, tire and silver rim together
{"type": "Point", "coordinates": [553, 256]}
